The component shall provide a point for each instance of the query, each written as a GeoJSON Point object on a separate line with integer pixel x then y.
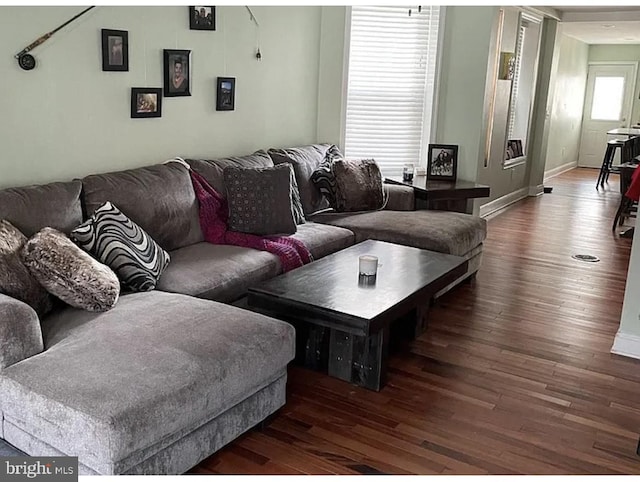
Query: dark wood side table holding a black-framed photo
{"type": "Point", "coordinates": [443, 195]}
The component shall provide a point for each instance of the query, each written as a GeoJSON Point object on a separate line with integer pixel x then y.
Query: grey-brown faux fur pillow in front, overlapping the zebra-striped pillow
{"type": "Point", "coordinates": [69, 273]}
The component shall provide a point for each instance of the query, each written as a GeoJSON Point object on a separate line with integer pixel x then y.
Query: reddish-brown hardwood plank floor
{"type": "Point", "coordinates": [513, 375]}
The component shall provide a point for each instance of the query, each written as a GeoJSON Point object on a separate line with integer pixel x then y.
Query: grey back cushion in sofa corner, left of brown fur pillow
{"type": "Point", "coordinates": [305, 161]}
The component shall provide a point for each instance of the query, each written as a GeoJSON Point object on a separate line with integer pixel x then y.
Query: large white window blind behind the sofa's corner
{"type": "Point", "coordinates": [392, 63]}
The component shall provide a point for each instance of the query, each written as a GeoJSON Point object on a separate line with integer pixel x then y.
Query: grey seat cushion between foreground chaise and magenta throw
{"type": "Point", "coordinates": [217, 272]}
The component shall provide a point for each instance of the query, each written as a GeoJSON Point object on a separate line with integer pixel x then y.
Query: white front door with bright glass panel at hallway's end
{"type": "Point", "coordinates": [608, 102]}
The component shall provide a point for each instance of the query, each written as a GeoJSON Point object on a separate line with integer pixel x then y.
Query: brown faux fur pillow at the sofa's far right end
{"type": "Point", "coordinates": [358, 185]}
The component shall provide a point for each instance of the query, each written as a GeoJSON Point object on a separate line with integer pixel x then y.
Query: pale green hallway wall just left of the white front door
{"type": "Point", "coordinates": [568, 102]}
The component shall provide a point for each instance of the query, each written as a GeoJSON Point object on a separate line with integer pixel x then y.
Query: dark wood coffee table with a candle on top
{"type": "Point", "coordinates": [327, 299]}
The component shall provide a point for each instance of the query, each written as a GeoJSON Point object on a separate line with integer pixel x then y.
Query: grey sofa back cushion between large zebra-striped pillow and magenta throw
{"type": "Point", "coordinates": [160, 199]}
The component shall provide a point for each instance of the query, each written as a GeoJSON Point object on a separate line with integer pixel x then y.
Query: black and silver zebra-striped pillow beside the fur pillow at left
{"type": "Point", "coordinates": [122, 245]}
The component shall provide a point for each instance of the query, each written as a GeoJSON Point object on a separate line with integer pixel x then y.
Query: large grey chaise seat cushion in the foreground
{"type": "Point", "coordinates": [111, 384]}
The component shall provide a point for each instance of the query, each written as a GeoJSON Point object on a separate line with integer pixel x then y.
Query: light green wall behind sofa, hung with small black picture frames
{"type": "Point", "coordinates": [67, 118]}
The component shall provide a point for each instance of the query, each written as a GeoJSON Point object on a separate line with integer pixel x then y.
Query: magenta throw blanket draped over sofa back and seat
{"type": "Point", "coordinates": [214, 214]}
